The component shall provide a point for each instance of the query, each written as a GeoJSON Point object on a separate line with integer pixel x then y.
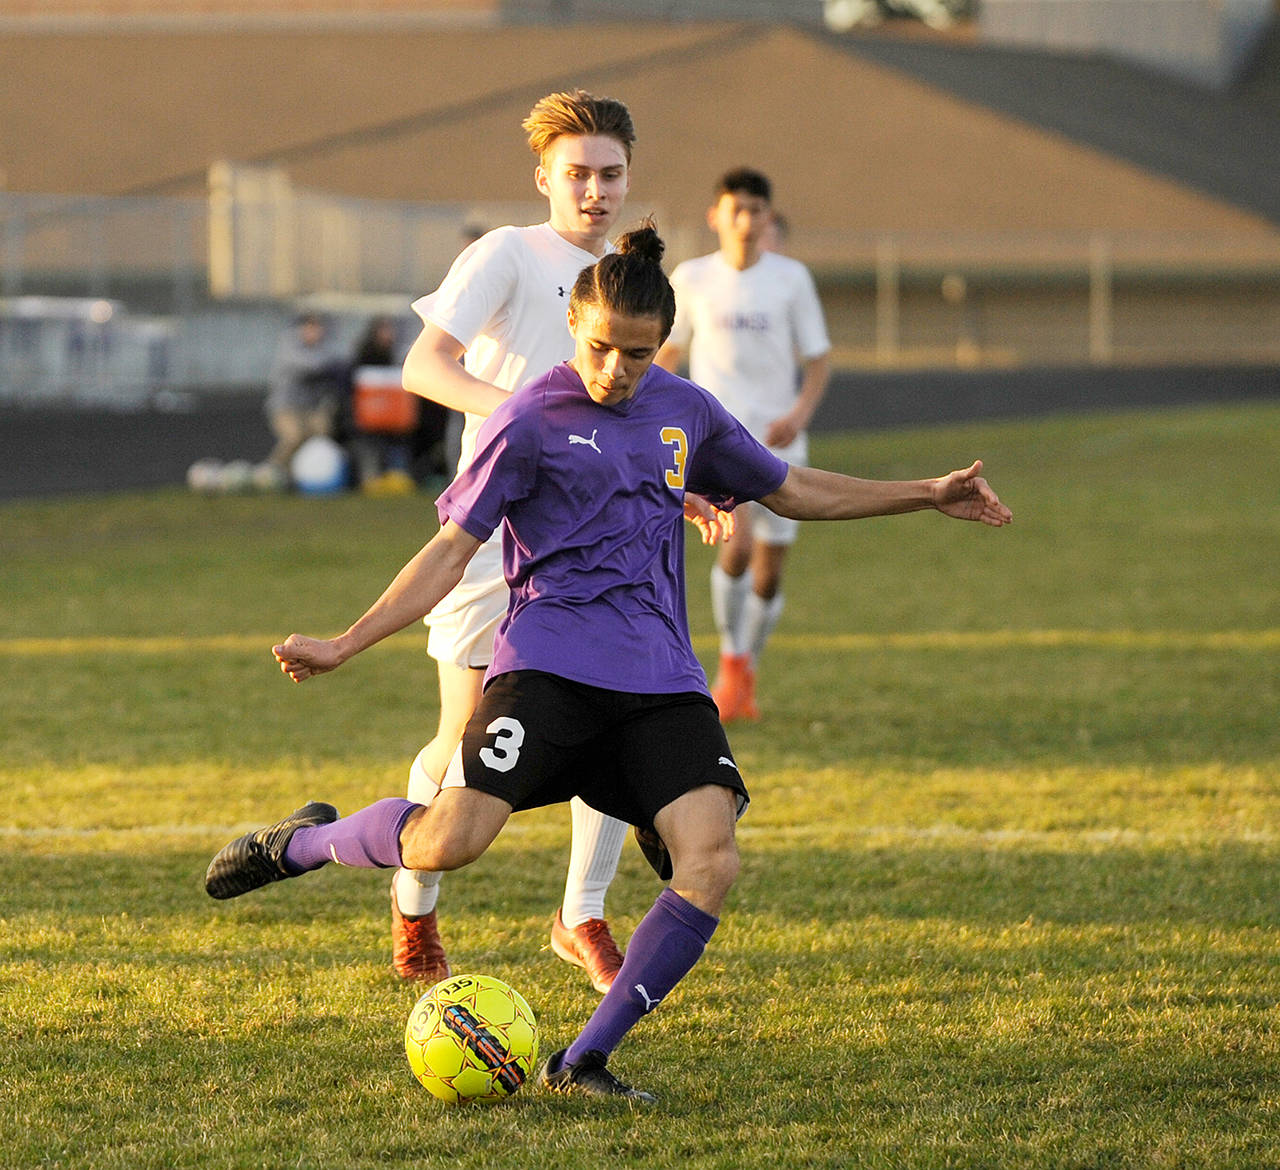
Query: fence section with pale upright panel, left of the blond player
{"type": "Point", "coordinates": [120, 299]}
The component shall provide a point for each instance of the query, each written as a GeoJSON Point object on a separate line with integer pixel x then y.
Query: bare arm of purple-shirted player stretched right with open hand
{"type": "Point", "coordinates": [811, 493]}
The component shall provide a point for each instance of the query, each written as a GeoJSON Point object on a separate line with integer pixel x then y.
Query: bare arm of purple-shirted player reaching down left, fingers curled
{"type": "Point", "coordinates": [415, 592]}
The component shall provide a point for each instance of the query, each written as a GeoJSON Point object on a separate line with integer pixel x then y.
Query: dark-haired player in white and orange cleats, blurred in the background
{"type": "Point", "coordinates": [752, 327]}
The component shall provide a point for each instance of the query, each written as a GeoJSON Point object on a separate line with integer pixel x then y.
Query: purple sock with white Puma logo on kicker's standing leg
{"type": "Point", "coordinates": [669, 942]}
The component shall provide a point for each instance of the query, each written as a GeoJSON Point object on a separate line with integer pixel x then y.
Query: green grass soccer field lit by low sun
{"type": "Point", "coordinates": [1012, 877]}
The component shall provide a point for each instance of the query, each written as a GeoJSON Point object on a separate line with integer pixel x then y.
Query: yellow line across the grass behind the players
{"type": "Point", "coordinates": [1264, 639]}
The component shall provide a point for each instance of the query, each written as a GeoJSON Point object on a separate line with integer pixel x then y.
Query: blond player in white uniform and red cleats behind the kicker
{"type": "Point", "coordinates": [499, 321]}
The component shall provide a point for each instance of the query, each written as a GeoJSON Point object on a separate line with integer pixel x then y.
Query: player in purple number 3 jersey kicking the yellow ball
{"type": "Point", "coordinates": [595, 689]}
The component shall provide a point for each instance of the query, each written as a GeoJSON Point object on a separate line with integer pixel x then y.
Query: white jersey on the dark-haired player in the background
{"type": "Point", "coordinates": [746, 331]}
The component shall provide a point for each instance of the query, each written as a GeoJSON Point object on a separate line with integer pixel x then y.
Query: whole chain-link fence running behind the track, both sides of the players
{"type": "Point", "coordinates": [122, 299]}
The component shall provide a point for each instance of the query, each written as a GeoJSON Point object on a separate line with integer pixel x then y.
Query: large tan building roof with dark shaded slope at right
{"type": "Point", "coordinates": [861, 134]}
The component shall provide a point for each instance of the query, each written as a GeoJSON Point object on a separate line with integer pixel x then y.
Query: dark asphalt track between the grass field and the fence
{"type": "Point", "coordinates": [60, 451]}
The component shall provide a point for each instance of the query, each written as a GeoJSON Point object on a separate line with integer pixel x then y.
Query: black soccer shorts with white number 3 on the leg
{"type": "Point", "coordinates": [540, 739]}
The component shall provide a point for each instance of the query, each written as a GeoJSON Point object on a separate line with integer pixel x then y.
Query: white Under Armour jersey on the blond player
{"type": "Point", "coordinates": [505, 299]}
